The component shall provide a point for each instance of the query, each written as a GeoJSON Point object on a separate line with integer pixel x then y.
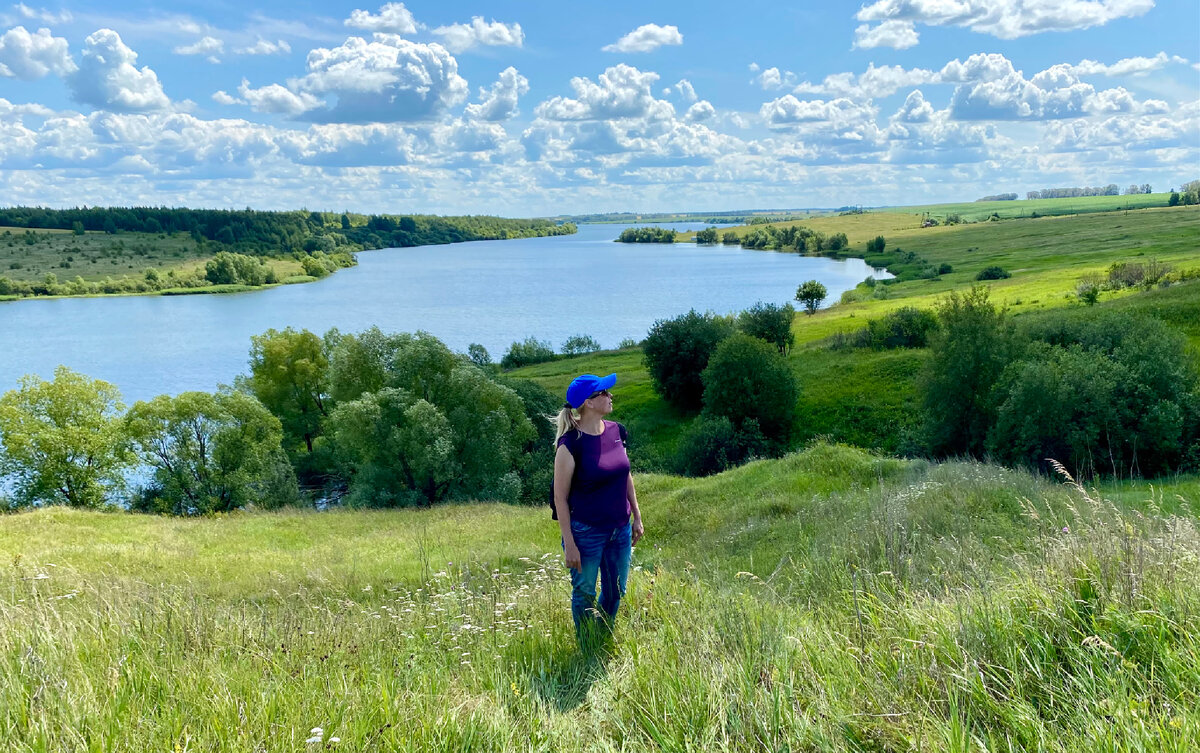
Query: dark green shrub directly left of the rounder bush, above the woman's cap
{"type": "Point", "coordinates": [676, 353]}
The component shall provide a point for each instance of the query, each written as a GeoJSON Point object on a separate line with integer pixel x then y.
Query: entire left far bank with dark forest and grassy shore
{"type": "Point", "coordinates": [161, 251]}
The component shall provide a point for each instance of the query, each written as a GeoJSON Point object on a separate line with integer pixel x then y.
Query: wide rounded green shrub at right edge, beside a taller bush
{"type": "Point", "coordinates": [1111, 394]}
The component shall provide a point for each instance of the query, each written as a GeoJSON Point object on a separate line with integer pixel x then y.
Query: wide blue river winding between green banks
{"type": "Point", "coordinates": [488, 292]}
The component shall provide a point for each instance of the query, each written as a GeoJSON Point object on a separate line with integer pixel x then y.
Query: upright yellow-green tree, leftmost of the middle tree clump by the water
{"type": "Point", "coordinates": [289, 374]}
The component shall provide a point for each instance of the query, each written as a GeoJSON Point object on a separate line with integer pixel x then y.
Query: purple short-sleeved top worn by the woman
{"type": "Point", "coordinates": [601, 485]}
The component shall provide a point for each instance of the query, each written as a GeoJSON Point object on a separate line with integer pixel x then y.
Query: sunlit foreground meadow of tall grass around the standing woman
{"type": "Point", "coordinates": [827, 601]}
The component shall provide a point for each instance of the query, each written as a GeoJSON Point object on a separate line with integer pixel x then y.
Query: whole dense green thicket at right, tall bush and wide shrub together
{"type": "Point", "coordinates": [1102, 394]}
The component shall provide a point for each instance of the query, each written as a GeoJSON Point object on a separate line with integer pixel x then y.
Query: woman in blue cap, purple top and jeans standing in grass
{"type": "Point", "coordinates": [595, 501]}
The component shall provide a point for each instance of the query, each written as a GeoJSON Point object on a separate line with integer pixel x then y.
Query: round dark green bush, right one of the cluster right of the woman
{"type": "Point", "coordinates": [748, 379]}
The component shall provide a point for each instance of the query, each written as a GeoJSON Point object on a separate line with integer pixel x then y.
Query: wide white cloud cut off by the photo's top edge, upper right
{"type": "Point", "coordinates": [1007, 20]}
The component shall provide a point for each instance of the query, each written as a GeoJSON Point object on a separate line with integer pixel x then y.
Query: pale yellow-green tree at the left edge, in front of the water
{"type": "Point", "coordinates": [63, 442]}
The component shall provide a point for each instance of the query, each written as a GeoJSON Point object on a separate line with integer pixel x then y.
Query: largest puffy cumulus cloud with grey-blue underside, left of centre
{"type": "Point", "coordinates": [388, 80]}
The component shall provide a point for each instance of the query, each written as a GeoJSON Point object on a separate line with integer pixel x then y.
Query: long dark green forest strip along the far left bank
{"type": "Point", "coordinates": [265, 233]}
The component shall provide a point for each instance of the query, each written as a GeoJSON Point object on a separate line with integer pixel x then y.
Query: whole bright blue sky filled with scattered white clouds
{"type": "Point", "coordinates": [541, 109]}
